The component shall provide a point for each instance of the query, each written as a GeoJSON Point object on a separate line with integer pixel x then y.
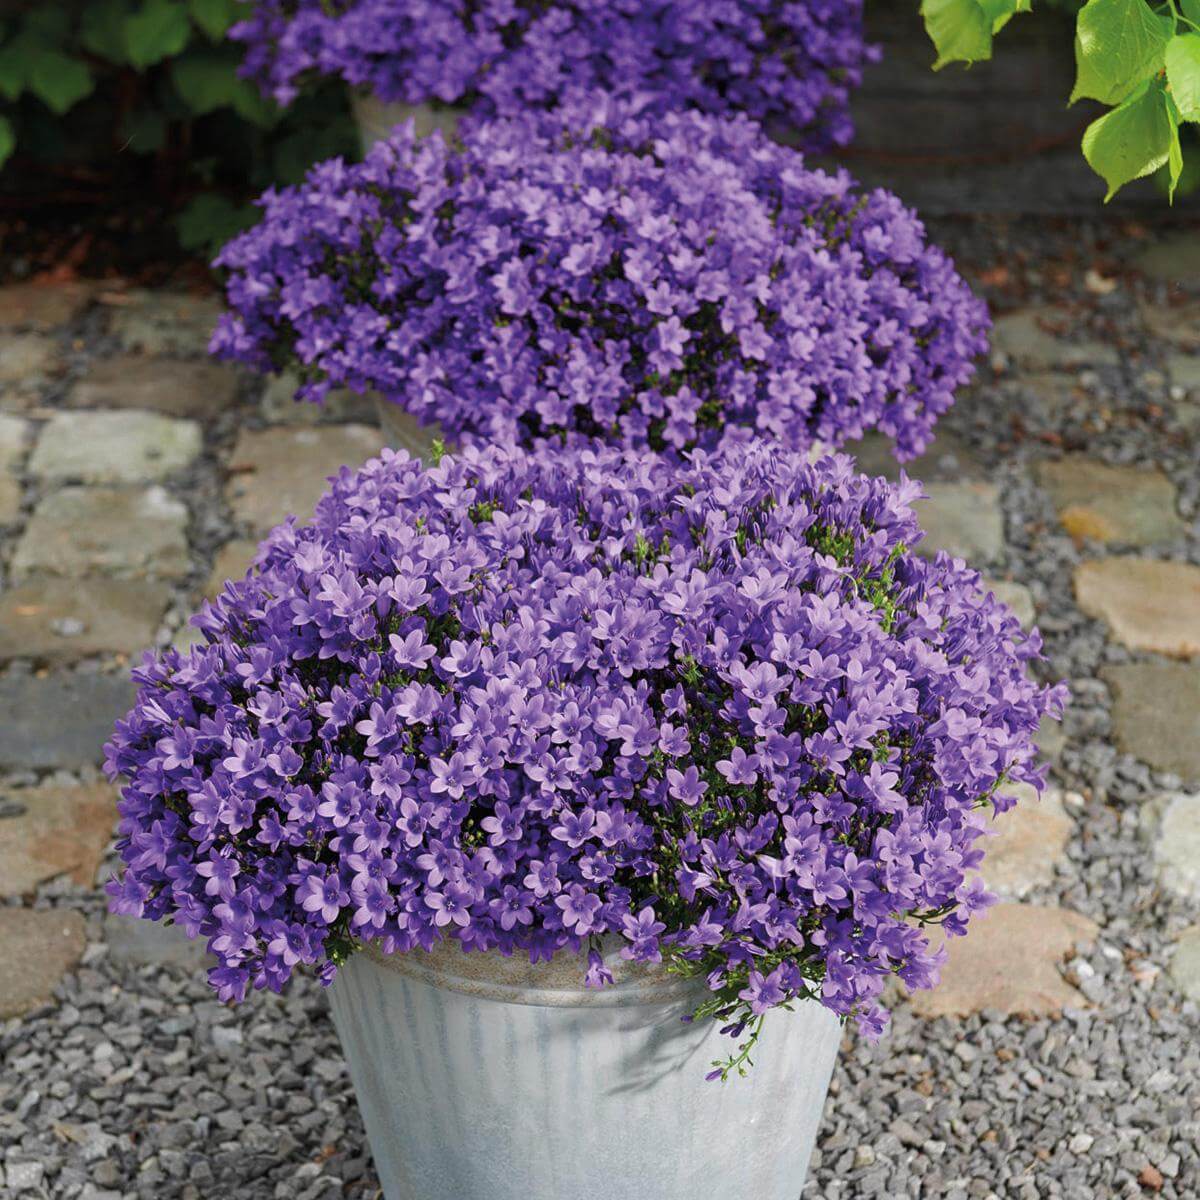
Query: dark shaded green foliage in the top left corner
{"type": "Point", "coordinates": [149, 91]}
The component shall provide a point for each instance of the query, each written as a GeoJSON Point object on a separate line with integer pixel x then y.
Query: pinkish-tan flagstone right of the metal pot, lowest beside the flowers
{"type": "Point", "coordinates": [1011, 962]}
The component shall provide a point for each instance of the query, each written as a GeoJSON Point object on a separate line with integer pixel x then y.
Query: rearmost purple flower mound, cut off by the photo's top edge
{"type": "Point", "coordinates": [785, 63]}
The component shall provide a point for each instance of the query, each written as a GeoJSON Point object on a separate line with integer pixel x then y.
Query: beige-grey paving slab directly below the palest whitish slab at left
{"type": "Point", "coordinates": [128, 533]}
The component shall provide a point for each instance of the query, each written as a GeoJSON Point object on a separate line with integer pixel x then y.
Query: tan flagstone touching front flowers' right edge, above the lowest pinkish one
{"type": "Point", "coordinates": [1027, 844]}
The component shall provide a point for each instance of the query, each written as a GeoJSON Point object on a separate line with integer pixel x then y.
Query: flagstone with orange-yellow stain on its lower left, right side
{"type": "Point", "coordinates": [1131, 506]}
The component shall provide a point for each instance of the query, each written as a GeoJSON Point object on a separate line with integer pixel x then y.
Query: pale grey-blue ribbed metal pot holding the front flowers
{"type": "Point", "coordinates": [483, 1078]}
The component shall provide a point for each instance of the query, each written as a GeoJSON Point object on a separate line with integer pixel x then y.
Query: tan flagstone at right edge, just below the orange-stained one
{"type": "Point", "coordinates": [1148, 604]}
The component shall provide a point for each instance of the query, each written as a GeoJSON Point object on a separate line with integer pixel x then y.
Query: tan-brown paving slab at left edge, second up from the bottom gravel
{"type": "Point", "coordinates": [55, 831]}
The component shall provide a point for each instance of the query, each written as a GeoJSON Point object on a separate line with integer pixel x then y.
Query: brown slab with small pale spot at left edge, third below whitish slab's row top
{"type": "Point", "coordinates": [63, 621]}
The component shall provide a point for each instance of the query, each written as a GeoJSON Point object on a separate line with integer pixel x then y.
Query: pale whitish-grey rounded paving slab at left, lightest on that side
{"type": "Point", "coordinates": [125, 447]}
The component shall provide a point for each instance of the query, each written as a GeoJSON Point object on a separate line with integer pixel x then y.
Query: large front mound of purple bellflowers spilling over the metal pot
{"type": "Point", "coordinates": [718, 711]}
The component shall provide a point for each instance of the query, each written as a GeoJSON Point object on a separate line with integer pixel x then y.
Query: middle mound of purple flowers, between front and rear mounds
{"type": "Point", "coordinates": [665, 283]}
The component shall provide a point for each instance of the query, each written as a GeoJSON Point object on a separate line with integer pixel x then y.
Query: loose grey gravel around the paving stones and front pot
{"type": "Point", "coordinates": [133, 1082]}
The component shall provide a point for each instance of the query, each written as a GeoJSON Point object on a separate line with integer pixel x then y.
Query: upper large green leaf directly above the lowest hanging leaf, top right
{"type": "Point", "coordinates": [1119, 46]}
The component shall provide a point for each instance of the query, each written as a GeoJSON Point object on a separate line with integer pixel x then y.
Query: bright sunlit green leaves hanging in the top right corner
{"type": "Point", "coordinates": [1141, 58]}
